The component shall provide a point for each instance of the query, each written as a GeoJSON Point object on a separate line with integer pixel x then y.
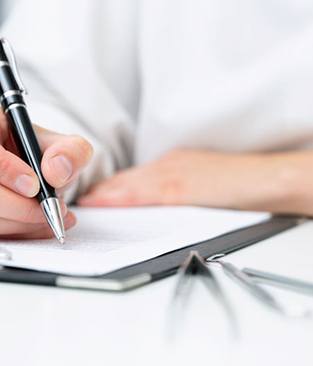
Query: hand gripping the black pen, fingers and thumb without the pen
{"type": "Point", "coordinates": [63, 157]}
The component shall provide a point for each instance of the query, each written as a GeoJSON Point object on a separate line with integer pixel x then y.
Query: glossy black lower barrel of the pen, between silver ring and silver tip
{"type": "Point", "coordinates": [28, 146]}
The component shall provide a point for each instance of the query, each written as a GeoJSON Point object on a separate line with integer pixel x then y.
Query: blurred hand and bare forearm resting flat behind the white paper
{"type": "Point", "coordinates": [278, 182]}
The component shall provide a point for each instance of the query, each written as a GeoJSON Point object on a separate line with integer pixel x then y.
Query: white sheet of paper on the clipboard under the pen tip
{"type": "Point", "coordinates": [107, 239]}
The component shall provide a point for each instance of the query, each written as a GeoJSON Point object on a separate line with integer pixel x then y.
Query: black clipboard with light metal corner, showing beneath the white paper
{"type": "Point", "coordinates": [156, 268]}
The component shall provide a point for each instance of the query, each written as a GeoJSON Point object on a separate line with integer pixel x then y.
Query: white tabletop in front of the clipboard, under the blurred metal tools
{"type": "Point", "coordinates": [50, 326]}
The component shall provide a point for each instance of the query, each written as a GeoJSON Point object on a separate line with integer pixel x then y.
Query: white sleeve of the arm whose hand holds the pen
{"type": "Point", "coordinates": [54, 42]}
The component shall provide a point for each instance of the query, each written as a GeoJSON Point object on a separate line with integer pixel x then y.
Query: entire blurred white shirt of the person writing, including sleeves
{"type": "Point", "coordinates": [139, 78]}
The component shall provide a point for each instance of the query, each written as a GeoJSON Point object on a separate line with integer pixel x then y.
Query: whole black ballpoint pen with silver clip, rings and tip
{"type": "Point", "coordinates": [14, 107]}
